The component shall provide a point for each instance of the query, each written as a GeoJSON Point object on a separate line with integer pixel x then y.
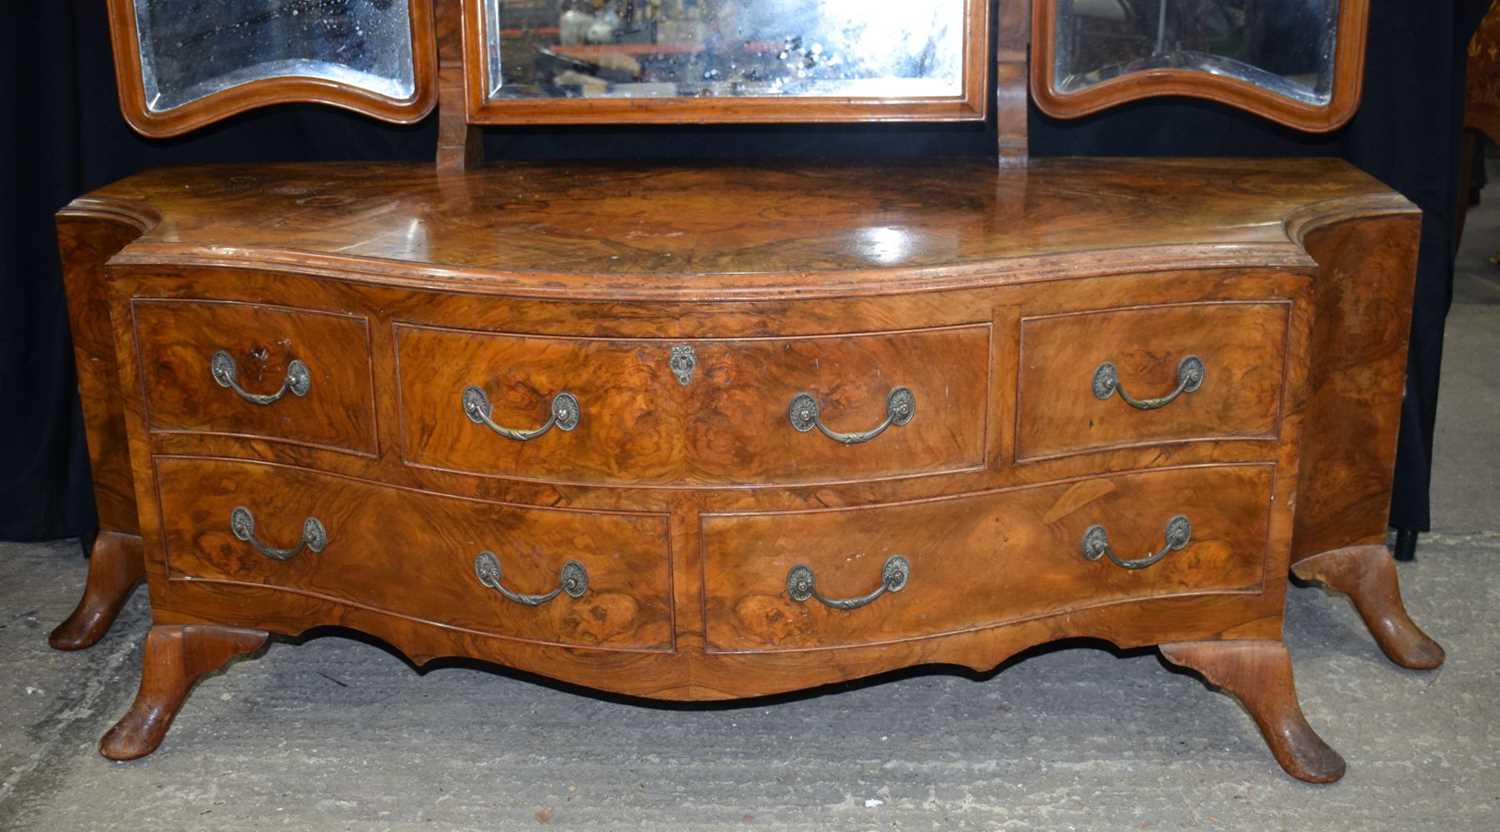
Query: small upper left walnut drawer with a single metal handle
{"type": "Point", "coordinates": [247, 370]}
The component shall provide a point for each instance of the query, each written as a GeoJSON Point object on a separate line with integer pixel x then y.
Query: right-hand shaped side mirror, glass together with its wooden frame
{"type": "Point", "coordinates": [1250, 53]}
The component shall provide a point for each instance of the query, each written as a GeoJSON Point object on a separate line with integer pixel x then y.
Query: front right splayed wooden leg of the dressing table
{"type": "Point", "coordinates": [1259, 675]}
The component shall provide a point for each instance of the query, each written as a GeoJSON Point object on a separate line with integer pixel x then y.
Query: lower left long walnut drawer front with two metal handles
{"type": "Point", "coordinates": [536, 575]}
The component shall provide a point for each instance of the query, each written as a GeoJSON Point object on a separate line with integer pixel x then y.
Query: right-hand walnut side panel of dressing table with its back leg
{"type": "Point", "coordinates": [1367, 272]}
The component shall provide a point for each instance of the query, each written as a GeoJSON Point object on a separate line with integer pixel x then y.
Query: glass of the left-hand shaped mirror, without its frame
{"type": "Point", "coordinates": [194, 49]}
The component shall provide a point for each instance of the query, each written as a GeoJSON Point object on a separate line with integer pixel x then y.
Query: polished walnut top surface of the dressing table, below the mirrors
{"type": "Point", "coordinates": [737, 230]}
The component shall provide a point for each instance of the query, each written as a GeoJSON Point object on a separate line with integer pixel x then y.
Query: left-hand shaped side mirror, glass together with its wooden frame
{"type": "Point", "coordinates": [188, 62]}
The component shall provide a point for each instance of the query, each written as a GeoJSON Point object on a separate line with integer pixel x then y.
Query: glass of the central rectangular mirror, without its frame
{"type": "Point", "coordinates": [743, 49]}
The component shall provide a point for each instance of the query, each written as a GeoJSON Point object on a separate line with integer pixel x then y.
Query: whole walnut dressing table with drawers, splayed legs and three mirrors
{"type": "Point", "coordinates": [703, 432]}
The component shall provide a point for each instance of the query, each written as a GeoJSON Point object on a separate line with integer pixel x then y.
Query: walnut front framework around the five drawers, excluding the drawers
{"type": "Point", "coordinates": [691, 672]}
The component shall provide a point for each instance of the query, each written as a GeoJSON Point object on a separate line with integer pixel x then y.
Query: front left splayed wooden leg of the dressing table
{"type": "Point", "coordinates": [176, 657]}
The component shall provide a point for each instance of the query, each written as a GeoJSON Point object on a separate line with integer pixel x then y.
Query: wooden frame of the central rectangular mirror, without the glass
{"type": "Point", "coordinates": [970, 106]}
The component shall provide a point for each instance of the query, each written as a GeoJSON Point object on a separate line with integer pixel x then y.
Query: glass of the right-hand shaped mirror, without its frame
{"type": "Point", "coordinates": [1282, 46]}
